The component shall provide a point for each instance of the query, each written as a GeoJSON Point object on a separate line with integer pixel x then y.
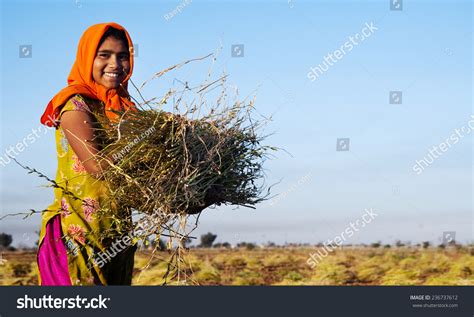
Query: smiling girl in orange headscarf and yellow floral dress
{"type": "Point", "coordinates": [81, 223]}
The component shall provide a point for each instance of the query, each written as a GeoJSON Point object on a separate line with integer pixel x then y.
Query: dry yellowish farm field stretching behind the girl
{"type": "Point", "coordinates": [286, 266]}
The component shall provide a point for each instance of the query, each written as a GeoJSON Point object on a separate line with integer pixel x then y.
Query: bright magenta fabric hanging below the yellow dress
{"type": "Point", "coordinates": [52, 256]}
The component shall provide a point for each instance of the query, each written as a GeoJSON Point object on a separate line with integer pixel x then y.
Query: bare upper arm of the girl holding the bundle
{"type": "Point", "coordinates": [79, 131]}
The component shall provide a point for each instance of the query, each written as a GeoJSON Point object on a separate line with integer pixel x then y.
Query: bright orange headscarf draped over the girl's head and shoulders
{"type": "Point", "coordinates": [80, 79]}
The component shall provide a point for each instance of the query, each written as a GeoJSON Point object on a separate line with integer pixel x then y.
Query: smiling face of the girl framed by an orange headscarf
{"type": "Point", "coordinates": [111, 63]}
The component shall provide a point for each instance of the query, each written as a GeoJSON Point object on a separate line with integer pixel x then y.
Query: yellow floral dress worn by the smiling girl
{"type": "Point", "coordinates": [88, 223]}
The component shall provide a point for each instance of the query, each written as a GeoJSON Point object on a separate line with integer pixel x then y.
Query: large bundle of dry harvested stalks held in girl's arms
{"type": "Point", "coordinates": [171, 164]}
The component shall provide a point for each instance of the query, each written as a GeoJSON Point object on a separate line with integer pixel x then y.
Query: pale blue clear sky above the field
{"type": "Point", "coordinates": [424, 51]}
